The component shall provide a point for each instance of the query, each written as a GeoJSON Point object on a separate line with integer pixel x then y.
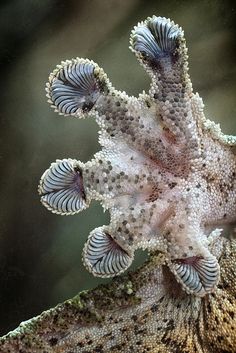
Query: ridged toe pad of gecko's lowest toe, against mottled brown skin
{"type": "Point", "coordinates": [198, 276]}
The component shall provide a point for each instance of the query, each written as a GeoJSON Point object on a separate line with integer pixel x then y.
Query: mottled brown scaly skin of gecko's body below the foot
{"type": "Point", "coordinates": [145, 311]}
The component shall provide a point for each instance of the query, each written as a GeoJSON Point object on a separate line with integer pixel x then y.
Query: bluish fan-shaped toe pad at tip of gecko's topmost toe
{"type": "Point", "coordinates": [158, 45]}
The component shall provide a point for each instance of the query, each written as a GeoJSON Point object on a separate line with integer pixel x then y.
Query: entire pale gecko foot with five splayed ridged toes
{"type": "Point", "coordinates": [165, 173]}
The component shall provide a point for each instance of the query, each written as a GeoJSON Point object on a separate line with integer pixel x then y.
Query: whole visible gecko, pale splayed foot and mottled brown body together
{"type": "Point", "coordinates": [179, 176]}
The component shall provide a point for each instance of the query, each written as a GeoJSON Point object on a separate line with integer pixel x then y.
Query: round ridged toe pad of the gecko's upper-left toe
{"type": "Point", "coordinates": [75, 86]}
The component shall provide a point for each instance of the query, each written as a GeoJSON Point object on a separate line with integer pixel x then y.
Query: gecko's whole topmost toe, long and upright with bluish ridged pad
{"type": "Point", "coordinates": [159, 45]}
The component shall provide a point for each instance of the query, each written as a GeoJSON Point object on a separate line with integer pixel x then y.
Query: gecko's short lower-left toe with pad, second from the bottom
{"type": "Point", "coordinates": [109, 250]}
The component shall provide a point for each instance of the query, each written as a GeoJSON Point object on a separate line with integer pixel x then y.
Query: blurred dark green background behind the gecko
{"type": "Point", "coordinates": [40, 253]}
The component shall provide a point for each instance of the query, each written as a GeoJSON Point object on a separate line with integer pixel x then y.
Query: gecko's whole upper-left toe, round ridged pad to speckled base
{"type": "Point", "coordinates": [79, 87]}
